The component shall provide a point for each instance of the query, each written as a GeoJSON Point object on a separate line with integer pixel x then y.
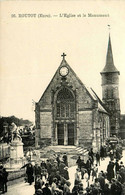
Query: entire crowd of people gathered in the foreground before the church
{"type": "Point", "coordinates": [52, 177]}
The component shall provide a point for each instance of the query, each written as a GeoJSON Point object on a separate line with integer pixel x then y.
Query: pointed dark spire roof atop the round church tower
{"type": "Point", "coordinates": [109, 67]}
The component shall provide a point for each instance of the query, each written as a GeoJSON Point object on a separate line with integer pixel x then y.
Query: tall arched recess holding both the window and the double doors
{"type": "Point", "coordinates": [65, 117]}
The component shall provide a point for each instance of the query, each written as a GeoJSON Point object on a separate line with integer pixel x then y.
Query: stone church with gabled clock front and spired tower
{"type": "Point", "coordinates": [69, 113]}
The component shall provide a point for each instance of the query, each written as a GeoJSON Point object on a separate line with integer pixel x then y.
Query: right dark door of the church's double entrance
{"type": "Point", "coordinates": [70, 128]}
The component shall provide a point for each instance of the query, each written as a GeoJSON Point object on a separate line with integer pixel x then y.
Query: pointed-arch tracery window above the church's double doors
{"type": "Point", "coordinates": [65, 104]}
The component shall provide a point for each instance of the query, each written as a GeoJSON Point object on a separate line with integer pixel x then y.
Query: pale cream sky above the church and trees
{"type": "Point", "coordinates": [31, 47]}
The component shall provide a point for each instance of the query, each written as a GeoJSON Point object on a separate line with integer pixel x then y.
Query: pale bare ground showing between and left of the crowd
{"type": "Point", "coordinates": [25, 189]}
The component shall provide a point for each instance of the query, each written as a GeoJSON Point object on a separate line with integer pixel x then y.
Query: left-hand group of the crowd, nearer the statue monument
{"type": "Point", "coordinates": [52, 173]}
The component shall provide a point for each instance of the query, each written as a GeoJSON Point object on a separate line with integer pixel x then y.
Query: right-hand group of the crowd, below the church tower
{"type": "Point", "coordinates": [111, 182]}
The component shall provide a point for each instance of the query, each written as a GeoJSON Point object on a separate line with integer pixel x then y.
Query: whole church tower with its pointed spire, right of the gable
{"type": "Point", "coordinates": [110, 90]}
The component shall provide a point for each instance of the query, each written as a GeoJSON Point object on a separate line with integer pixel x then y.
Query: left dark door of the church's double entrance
{"type": "Point", "coordinates": [60, 134]}
